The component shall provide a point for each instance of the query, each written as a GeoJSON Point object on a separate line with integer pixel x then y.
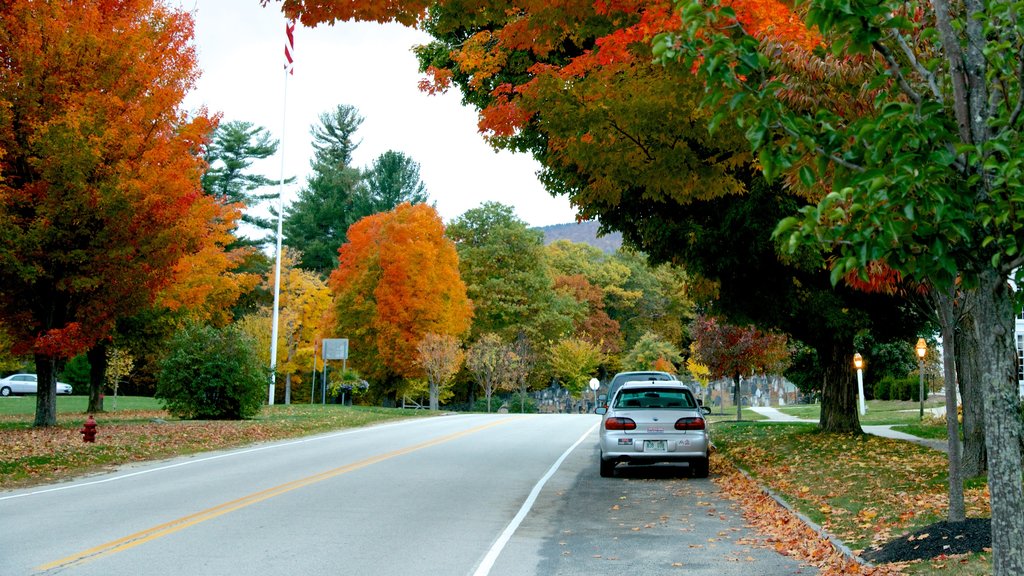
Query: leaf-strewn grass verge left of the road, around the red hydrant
{"type": "Point", "coordinates": [30, 457]}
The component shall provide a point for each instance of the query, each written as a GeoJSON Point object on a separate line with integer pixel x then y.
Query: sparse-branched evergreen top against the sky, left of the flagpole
{"type": "Point", "coordinates": [233, 150]}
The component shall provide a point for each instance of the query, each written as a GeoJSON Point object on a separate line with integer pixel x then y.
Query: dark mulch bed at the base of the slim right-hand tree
{"type": "Point", "coordinates": [972, 536]}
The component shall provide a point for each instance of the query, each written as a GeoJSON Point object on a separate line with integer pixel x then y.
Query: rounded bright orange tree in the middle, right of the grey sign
{"type": "Point", "coordinates": [398, 279]}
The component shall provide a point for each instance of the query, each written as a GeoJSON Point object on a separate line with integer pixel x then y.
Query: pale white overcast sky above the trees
{"type": "Point", "coordinates": [369, 66]}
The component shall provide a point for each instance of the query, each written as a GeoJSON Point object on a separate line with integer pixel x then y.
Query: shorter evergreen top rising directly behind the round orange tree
{"type": "Point", "coordinates": [393, 180]}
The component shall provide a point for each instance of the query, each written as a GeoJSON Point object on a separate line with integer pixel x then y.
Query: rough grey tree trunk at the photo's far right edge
{"type": "Point", "coordinates": [994, 327]}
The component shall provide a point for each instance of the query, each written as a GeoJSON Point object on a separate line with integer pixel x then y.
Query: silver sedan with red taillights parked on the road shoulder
{"type": "Point", "coordinates": [654, 422]}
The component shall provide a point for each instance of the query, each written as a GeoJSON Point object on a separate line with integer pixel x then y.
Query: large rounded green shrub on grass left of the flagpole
{"type": "Point", "coordinates": [212, 374]}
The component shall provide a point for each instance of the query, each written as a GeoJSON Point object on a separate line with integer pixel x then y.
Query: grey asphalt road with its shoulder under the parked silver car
{"type": "Point", "coordinates": [503, 496]}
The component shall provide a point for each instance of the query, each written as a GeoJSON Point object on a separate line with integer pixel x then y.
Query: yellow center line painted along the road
{"type": "Point", "coordinates": [174, 526]}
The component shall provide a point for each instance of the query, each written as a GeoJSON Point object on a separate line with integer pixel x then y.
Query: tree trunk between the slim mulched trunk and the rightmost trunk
{"type": "Point", "coordinates": [969, 380]}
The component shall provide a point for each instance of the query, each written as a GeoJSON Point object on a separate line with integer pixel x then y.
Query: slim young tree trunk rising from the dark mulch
{"type": "Point", "coordinates": [945, 304]}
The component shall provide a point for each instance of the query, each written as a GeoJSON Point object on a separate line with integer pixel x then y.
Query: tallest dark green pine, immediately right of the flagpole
{"type": "Point", "coordinates": [317, 224]}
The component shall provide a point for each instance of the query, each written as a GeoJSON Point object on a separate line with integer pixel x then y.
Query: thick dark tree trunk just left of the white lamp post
{"type": "Point", "coordinates": [839, 391]}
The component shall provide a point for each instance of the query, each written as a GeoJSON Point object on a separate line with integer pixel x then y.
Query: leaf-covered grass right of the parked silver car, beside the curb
{"type": "Point", "coordinates": [864, 489]}
